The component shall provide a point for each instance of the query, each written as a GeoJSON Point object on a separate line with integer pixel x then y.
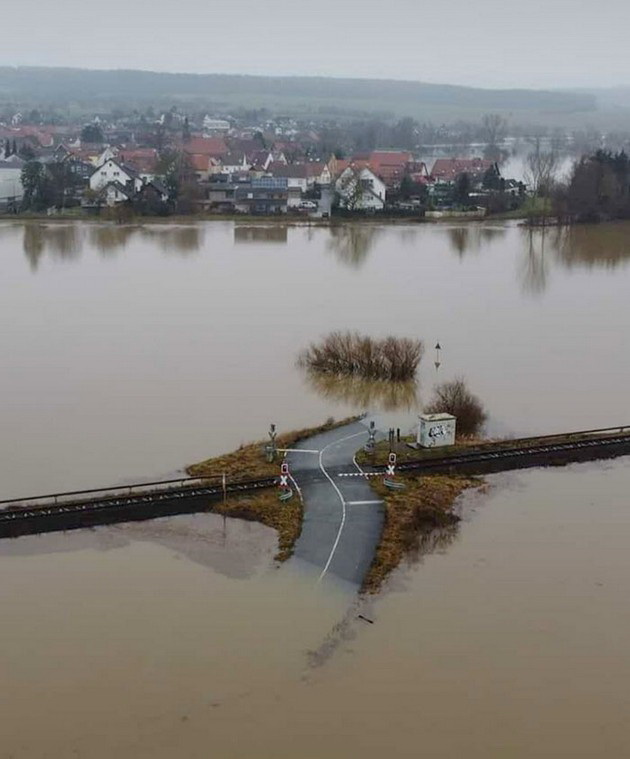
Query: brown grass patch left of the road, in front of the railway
{"type": "Point", "coordinates": [285, 518]}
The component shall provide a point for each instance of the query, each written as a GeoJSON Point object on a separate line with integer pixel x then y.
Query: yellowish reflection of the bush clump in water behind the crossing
{"type": "Point", "coordinates": [362, 394]}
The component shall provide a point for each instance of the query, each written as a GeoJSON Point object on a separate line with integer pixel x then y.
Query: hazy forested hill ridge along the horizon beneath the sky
{"type": "Point", "coordinates": [295, 94]}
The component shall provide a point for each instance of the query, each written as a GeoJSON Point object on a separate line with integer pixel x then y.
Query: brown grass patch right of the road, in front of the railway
{"type": "Point", "coordinates": [410, 517]}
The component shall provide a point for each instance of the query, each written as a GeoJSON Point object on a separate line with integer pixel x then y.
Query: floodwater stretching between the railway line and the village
{"type": "Point", "coordinates": [129, 352]}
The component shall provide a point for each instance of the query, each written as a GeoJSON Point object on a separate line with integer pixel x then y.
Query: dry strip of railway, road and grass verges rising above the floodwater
{"type": "Point", "coordinates": [358, 529]}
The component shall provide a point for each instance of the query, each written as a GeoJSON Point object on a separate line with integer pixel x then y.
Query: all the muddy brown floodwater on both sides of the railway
{"type": "Point", "coordinates": [129, 352]}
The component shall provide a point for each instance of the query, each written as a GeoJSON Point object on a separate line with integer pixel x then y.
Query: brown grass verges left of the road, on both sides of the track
{"type": "Point", "coordinates": [249, 462]}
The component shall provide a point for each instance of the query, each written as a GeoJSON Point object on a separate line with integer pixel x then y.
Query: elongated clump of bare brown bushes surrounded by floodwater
{"type": "Point", "coordinates": [352, 354]}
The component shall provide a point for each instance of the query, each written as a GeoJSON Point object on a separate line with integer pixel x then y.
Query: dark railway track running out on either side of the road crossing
{"type": "Point", "coordinates": [70, 510]}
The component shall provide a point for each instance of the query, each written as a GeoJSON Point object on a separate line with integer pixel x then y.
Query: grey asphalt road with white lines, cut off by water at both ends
{"type": "Point", "coordinates": [343, 517]}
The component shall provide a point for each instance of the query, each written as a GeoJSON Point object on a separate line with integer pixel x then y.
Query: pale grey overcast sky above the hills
{"type": "Point", "coordinates": [491, 43]}
